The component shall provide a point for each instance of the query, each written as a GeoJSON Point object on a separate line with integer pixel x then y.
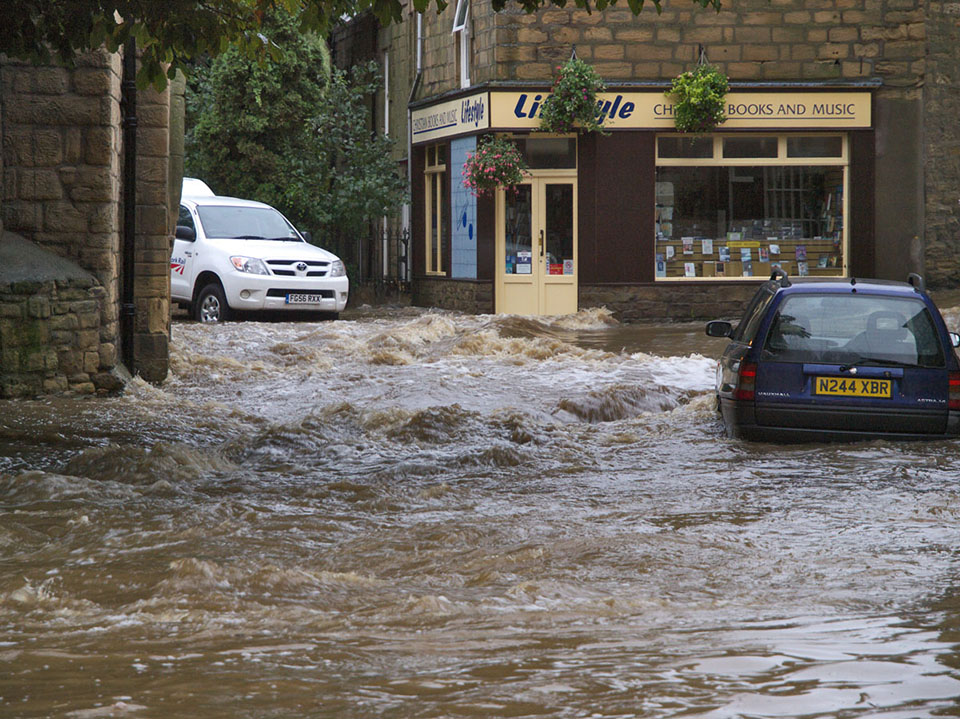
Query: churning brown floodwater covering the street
{"type": "Point", "coordinates": [414, 513]}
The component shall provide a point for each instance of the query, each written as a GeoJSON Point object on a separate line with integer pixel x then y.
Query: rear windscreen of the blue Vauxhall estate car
{"type": "Point", "coordinates": [854, 328]}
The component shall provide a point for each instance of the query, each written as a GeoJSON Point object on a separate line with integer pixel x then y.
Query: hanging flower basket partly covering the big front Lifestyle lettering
{"type": "Point", "coordinates": [572, 104]}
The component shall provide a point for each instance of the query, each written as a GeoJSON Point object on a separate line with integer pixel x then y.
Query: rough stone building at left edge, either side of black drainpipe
{"type": "Point", "coordinates": [61, 210]}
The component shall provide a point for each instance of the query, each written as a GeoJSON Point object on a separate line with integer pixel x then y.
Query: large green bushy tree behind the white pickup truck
{"type": "Point", "coordinates": [294, 134]}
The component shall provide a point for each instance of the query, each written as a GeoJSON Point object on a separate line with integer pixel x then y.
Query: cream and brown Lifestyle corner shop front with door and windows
{"type": "Point", "coordinates": [643, 216]}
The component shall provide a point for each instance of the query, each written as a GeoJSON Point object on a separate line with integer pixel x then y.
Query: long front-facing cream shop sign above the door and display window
{"type": "Point", "coordinates": [652, 110]}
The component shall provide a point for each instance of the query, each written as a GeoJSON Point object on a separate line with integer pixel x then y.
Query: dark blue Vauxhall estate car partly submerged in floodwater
{"type": "Point", "coordinates": [826, 359]}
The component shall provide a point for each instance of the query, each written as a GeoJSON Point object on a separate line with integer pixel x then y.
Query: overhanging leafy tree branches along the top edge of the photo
{"type": "Point", "coordinates": [172, 33]}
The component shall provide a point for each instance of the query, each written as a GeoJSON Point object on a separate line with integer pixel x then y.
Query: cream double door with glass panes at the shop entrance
{"type": "Point", "coordinates": [537, 248]}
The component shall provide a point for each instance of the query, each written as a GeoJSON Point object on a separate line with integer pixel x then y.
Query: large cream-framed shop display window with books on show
{"type": "Point", "coordinates": [743, 205]}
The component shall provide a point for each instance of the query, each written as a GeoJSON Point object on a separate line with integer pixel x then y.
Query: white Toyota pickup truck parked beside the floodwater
{"type": "Point", "coordinates": [233, 255]}
